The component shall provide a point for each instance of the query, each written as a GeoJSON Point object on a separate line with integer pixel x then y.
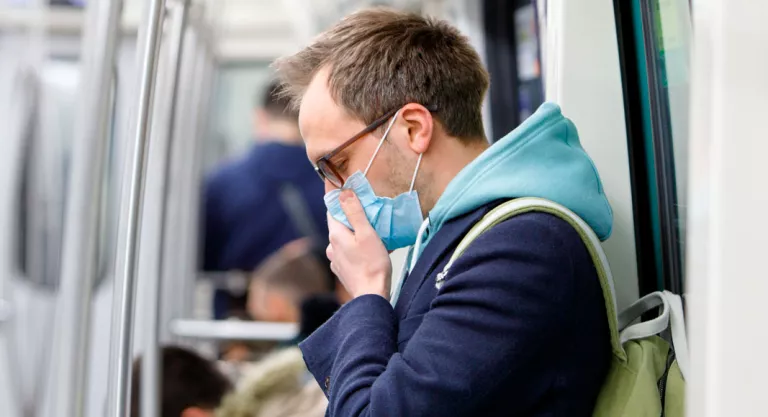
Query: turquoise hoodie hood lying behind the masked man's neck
{"type": "Point", "coordinates": [540, 158]}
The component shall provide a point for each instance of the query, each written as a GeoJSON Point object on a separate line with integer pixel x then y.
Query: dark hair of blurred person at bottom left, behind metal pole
{"type": "Point", "coordinates": [188, 380]}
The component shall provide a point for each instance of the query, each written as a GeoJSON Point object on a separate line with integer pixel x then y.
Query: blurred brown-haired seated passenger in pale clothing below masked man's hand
{"type": "Point", "coordinates": [290, 286]}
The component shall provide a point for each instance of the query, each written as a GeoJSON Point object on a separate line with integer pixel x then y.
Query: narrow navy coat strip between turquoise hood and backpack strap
{"type": "Point", "coordinates": [446, 238]}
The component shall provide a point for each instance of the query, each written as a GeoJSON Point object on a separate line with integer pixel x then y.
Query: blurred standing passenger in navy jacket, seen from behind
{"type": "Point", "coordinates": [257, 204]}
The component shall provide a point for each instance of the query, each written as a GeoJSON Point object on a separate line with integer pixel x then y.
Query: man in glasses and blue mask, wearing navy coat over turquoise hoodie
{"type": "Point", "coordinates": [390, 112]}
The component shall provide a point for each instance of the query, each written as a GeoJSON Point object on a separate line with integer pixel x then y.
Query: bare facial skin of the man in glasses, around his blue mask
{"type": "Point", "coordinates": [325, 126]}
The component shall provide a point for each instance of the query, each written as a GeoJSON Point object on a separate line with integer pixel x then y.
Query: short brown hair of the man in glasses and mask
{"type": "Point", "coordinates": [381, 59]}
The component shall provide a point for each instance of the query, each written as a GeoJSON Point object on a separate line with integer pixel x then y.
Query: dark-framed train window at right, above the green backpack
{"type": "Point", "coordinates": [654, 38]}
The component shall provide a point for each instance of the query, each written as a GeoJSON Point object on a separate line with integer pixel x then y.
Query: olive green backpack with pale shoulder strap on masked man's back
{"type": "Point", "coordinates": [647, 374]}
